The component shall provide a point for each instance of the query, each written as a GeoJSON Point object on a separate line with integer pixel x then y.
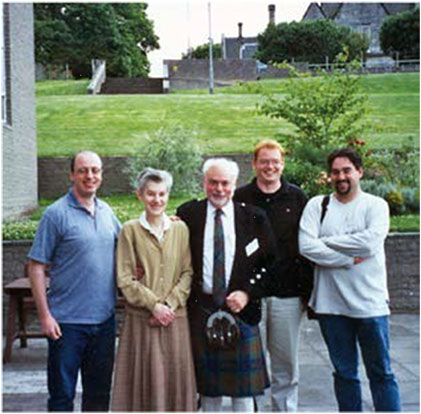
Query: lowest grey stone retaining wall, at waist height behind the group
{"type": "Point", "coordinates": [402, 252]}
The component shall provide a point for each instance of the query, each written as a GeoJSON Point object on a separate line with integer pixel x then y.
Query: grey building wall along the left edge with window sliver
{"type": "Point", "coordinates": [18, 110]}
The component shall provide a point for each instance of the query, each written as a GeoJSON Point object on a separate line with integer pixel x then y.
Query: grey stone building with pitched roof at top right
{"type": "Point", "coordinates": [365, 18]}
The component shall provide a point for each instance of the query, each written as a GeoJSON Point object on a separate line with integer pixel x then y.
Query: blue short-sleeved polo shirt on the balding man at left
{"type": "Point", "coordinates": [81, 250]}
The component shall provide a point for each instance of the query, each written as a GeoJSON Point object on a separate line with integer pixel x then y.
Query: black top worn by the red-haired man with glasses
{"type": "Point", "coordinates": [284, 209]}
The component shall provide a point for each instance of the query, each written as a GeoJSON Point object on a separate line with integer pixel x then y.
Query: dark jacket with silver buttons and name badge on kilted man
{"type": "Point", "coordinates": [250, 273]}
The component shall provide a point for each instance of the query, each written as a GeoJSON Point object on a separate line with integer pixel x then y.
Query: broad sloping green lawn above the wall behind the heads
{"type": "Point", "coordinates": [226, 122]}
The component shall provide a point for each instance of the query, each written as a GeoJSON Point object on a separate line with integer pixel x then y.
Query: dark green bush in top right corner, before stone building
{"type": "Point", "coordinates": [401, 33]}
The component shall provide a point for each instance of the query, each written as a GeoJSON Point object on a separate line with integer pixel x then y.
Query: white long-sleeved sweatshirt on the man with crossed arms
{"type": "Point", "coordinates": [354, 229]}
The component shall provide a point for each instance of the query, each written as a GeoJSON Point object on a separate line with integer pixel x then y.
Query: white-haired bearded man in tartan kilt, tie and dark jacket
{"type": "Point", "coordinates": [232, 248]}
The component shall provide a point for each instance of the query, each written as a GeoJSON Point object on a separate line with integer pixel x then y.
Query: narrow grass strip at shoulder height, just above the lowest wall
{"type": "Point", "coordinates": [128, 207]}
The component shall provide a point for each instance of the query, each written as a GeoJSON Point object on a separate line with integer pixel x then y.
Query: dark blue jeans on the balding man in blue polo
{"type": "Point", "coordinates": [89, 348]}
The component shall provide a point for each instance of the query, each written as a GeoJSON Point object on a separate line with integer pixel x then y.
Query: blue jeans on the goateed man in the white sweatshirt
{"type": "Point", "coordinates": [341, 334]}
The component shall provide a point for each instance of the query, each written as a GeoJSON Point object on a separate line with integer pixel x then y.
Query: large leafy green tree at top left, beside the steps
{"type": "Point", "coordinates": [76, 33]}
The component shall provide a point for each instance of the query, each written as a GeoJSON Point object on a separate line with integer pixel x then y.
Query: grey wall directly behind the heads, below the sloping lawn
{"type": "Point", "coordinates": [53, 175]}
